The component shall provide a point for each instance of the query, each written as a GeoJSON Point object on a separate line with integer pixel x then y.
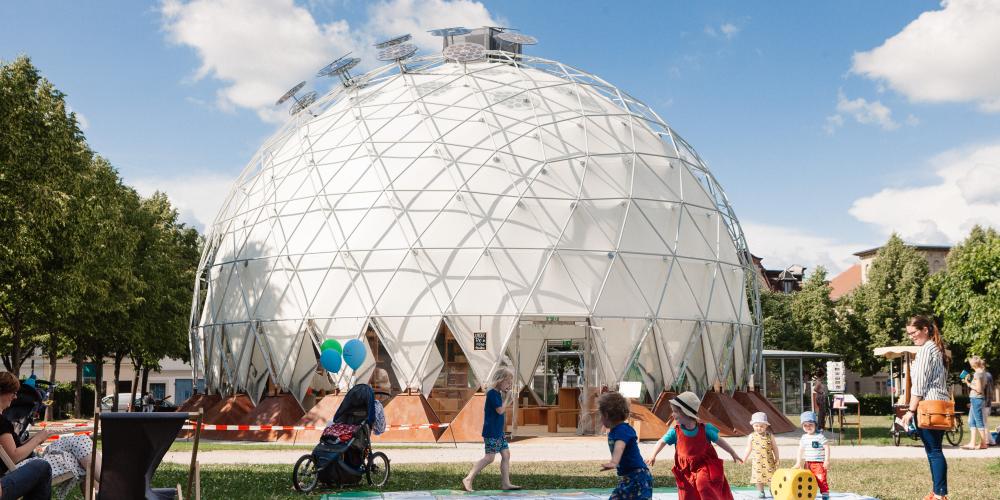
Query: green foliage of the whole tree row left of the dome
{"type": "Point", "coordinates": [87, 266]}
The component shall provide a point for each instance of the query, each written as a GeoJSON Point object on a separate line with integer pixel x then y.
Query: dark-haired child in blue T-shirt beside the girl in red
{"type": "Point", "coordinates": [634, 479]}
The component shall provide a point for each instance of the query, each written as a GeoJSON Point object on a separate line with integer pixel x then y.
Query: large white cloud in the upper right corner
{"type": "Point", "coordinates": [947, 55]}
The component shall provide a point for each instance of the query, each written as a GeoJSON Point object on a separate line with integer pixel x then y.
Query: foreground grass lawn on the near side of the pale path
{"type": "Point", "coordinates": [886, 479]}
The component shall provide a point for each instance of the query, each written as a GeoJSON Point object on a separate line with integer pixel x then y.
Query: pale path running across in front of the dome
{"type": "Point", "coordinates": [560, 449]}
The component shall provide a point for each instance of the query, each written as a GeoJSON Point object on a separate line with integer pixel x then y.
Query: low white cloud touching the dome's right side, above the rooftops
{"type": "Point", "coordinates": [781, 247]}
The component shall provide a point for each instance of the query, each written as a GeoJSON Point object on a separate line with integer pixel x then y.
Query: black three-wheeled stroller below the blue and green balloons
{"type": "Point", "coordinates": [344, 453]}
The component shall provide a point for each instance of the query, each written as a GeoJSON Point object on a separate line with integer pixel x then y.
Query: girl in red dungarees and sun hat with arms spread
{"type": "Point", "coordinates": [697, 467]}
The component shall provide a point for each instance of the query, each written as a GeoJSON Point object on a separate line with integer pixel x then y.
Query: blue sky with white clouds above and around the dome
{"type": "Point", "coordinates": [829, 125]}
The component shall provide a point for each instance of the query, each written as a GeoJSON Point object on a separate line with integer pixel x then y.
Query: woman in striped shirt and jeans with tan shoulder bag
{"type": "Point", "coordinates": [930, 375]}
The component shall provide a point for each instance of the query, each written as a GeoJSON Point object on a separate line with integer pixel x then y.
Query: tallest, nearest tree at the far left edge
{"type": "Point", "coordinates": [42, 158]}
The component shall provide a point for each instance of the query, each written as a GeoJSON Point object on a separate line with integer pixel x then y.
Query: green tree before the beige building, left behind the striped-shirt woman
{"type": "Point", "coordinates": [897, 288]}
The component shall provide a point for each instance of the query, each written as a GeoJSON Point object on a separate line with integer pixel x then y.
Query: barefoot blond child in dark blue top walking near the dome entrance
{"type": "Point", "coordinates": [493, 437]}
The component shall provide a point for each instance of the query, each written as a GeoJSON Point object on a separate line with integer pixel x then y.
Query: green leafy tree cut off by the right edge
{"type": "Point", "coordinates": [968, 294]}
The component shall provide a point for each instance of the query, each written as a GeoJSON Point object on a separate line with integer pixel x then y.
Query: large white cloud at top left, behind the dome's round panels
{"type": "Point", "coordinates": [260, 48]}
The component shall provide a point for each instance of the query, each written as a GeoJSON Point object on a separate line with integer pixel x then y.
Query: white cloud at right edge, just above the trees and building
{"type": "Point", "coordinates": [967, 192]}
